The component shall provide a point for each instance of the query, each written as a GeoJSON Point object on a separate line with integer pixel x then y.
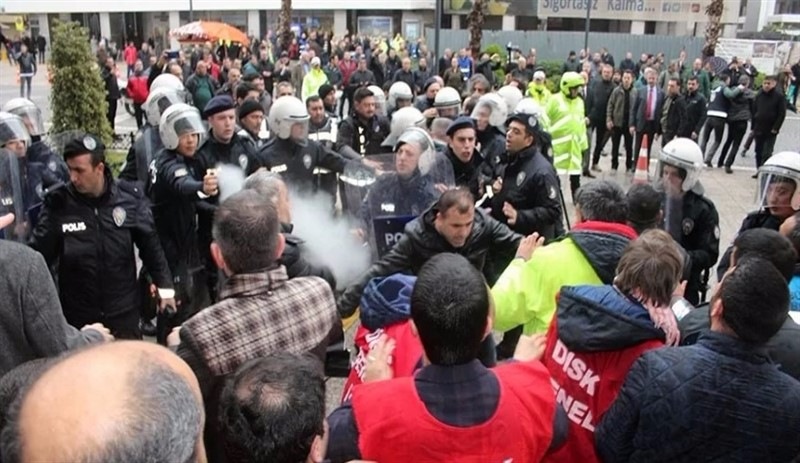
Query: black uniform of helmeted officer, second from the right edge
{"type": "Point", "coordinates": [699, 236]}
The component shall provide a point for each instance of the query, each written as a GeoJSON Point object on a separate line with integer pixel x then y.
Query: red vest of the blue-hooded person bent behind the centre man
{"type": "Point", "coordinates": [406, 356]}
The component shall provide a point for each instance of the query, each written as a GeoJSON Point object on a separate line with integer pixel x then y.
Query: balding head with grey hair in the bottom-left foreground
{"type": "Point", "coordinates": [125, 401]}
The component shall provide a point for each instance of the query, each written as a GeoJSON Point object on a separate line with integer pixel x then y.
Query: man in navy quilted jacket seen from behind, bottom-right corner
{"type": "Point", "coordinates": [721, 399]}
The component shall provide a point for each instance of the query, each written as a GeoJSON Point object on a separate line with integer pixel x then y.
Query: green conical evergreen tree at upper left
{"type": "Point", "coordinates": [78, 94]}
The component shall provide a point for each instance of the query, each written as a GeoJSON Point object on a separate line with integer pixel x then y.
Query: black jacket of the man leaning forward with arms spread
{"type": "Point", "coordinates": [421, 241]}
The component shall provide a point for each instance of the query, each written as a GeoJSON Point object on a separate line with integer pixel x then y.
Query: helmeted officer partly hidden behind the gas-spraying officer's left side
{"type": "Point", "coordinates": [147, 142]}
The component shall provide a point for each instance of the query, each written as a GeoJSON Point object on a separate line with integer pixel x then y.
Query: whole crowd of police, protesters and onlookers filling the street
{"type": "Point", "coordinates": [614, 348]}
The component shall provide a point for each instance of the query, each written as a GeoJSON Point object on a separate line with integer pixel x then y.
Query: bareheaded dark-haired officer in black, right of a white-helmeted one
{"type": "Point", "coordinates": [362, 133]}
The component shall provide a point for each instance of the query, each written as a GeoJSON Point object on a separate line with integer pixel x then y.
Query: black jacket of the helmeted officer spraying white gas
{"type": "Point", "coordinates": [175, 192]}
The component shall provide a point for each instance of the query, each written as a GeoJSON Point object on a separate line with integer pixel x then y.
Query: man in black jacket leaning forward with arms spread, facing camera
{"type": "Point", "coordinates": [453, 224]}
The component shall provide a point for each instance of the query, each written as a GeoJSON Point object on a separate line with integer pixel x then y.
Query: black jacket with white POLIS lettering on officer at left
{"type": "Point", "coordinates": [92, 240]}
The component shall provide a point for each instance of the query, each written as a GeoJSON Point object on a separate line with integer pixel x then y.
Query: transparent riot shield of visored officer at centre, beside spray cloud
{"type": "Point", "coordinates": [395, 195]}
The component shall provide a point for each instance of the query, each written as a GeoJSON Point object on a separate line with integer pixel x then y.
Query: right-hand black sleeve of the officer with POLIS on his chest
{"type": "Point", "coordinates": [146, 239]}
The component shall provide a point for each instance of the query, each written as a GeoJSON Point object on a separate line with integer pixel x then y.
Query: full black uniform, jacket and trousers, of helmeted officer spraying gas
{"type": "Point", "coordinates": [175, 193]}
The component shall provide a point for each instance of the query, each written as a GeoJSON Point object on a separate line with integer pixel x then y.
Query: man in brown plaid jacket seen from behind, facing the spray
{"type": "Point", "coordinates": [261, 311]}
